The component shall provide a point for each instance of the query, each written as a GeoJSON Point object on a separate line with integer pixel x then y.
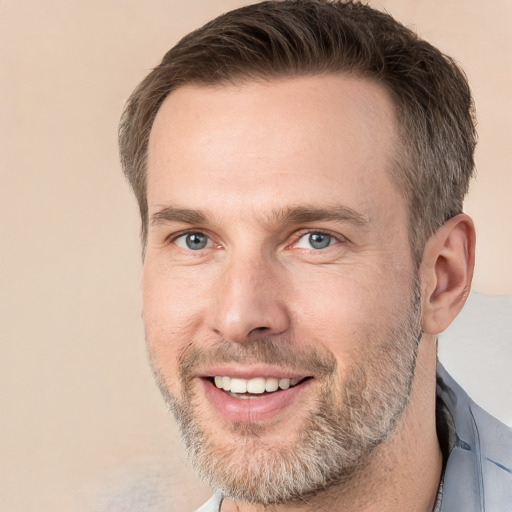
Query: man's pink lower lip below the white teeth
{"type": "Point", "coordinates": [252, 410]}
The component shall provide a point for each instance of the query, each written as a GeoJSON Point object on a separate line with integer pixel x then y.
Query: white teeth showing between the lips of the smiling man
{"type": "Point", "coordinates": [255, 387]}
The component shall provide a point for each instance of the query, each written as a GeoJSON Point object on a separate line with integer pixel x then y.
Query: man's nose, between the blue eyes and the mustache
{"type": "Point", "coordinates": [249, 300]}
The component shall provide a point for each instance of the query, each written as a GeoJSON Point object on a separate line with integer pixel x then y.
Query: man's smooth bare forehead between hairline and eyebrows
{"type": "Point", "coordinates": [261, 144]}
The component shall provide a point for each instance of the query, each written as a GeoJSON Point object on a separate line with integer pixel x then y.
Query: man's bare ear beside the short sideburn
{"type": "Point", "coordinates": [446, 272]}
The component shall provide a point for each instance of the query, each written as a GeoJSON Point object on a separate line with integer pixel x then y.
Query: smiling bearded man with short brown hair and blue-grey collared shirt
{"type": "Point", "coordinates": [300, 168]}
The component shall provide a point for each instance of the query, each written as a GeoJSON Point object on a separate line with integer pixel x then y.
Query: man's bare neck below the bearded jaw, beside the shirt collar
{"type": "Point", "coordinates": [402, 474]}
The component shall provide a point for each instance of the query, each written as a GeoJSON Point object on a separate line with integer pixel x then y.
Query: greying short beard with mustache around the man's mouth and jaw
{"type": "Point", "coordinates": [351, 417]}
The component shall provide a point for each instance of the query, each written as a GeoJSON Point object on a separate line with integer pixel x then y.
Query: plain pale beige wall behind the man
{"type": "Point", "coordinates": [82, 426]}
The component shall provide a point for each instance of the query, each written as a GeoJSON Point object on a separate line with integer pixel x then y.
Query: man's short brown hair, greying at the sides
{"type": "Point", "coordinates": [276, 39]}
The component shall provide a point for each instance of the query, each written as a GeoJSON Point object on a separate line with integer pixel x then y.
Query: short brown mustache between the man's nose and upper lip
{"type": "Point", "coordinates": [266, 350]}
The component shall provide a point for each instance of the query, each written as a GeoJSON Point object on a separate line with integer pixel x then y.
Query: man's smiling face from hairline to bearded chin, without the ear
{"type": "Point", "coordinates": [278, 267]}
